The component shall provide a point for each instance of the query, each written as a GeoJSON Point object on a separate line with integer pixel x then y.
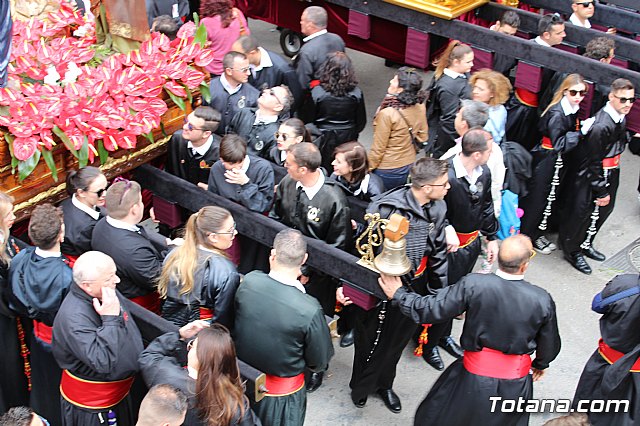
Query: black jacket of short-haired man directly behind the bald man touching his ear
{"type": "Point", "coordinates": [138, 257]}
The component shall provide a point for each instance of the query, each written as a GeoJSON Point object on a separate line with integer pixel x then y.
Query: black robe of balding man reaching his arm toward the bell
{"type": "Point", "coordinates": [513, 317]}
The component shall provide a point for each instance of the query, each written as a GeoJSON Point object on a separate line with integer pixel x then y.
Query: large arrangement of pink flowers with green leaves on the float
{"type": "Point", "coordinates": [64, 88]}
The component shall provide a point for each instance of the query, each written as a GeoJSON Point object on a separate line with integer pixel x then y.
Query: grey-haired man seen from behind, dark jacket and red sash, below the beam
{"type": "Point", "coordinates": [281, 331]}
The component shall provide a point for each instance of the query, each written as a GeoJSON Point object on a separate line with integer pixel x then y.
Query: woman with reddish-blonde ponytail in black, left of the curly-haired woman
{"type": "Point", "coordinates": [449, 86]}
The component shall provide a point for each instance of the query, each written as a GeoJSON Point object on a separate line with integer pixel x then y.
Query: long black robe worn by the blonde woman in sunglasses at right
{"type": "Point", "coordinates": [564, 134]}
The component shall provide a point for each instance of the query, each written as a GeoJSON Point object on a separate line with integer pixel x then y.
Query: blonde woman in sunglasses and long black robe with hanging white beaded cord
{"type": "Point", "coordinates": [560, 128]}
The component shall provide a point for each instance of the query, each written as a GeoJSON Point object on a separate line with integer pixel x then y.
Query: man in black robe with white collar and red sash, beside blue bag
{"type": "Point", "coordinates": [469, 215]}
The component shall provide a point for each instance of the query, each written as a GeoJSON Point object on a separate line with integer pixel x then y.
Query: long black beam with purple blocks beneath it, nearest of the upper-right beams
{"type": "Point", "coordinates": [554, 59]}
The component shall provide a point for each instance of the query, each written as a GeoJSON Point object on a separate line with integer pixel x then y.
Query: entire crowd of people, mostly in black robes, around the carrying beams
{"type": "Point", "coordinates": [282, 141]}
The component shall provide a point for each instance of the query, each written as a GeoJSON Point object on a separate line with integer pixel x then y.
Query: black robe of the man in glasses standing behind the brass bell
{"type": "Point", "coordinates": [374, 365]}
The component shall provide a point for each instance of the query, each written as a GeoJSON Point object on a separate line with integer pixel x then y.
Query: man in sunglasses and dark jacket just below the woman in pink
{"type": "Point", "coordinates": [230, 92]}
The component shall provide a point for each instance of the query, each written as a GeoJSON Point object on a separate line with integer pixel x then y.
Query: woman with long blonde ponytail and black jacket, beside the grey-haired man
{"type": "Point", "coordinates": [198, 281]}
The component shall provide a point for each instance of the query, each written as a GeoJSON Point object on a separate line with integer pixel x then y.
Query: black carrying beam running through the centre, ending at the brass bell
{"type": "Point", "coordinates": [323, 257]}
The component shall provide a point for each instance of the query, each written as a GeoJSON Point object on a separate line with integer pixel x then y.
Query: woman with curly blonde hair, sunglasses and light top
{"type": "Point", "coordinates": [493, 89]}
